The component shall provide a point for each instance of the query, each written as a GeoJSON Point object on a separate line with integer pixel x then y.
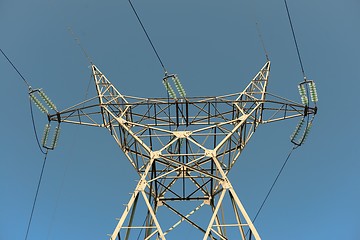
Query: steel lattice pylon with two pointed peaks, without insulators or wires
{"type": "Point", "coordinates": [183, 150]}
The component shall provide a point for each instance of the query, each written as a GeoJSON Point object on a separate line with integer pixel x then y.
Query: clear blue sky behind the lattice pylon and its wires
{"type": "Point", "coordinates": [214, 48]}
